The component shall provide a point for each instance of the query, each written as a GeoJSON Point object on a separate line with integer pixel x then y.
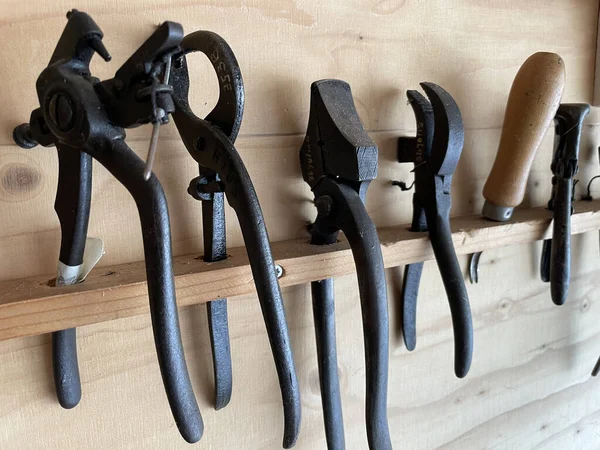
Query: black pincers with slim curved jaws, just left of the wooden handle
{"type": "Point", "coordinates": [435, 152]}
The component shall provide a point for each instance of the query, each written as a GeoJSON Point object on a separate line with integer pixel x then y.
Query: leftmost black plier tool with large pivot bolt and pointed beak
{"type": "Point", "coordinates": [76, 116]}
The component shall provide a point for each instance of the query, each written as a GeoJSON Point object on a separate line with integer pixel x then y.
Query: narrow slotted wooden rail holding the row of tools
{"type": "Point", "coordinates": [32, 306]}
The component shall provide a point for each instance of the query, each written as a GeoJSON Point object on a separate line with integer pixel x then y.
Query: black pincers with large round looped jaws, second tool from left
{"type": "Point", "coordinates": [222, 172]}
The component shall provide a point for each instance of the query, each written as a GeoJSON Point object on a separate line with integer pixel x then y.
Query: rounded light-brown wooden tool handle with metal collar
{"type": "Point", "coordinates": [532, 103]}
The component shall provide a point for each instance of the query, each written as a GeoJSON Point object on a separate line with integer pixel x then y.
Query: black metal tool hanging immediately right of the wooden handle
{"type": "Point", "coordinates": [555, 264]}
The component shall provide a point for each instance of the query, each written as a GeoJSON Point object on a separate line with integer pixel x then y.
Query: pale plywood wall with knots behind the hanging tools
{"type": "Point", "coordinates": [529, 385]}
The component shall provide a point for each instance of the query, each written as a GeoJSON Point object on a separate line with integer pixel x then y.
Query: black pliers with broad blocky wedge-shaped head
{"type": "Point", "coordinates": [338, 161]}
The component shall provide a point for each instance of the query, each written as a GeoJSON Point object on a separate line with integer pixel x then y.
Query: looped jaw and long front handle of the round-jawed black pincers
{"type": "Point", "coordinates": [210, 142]}
